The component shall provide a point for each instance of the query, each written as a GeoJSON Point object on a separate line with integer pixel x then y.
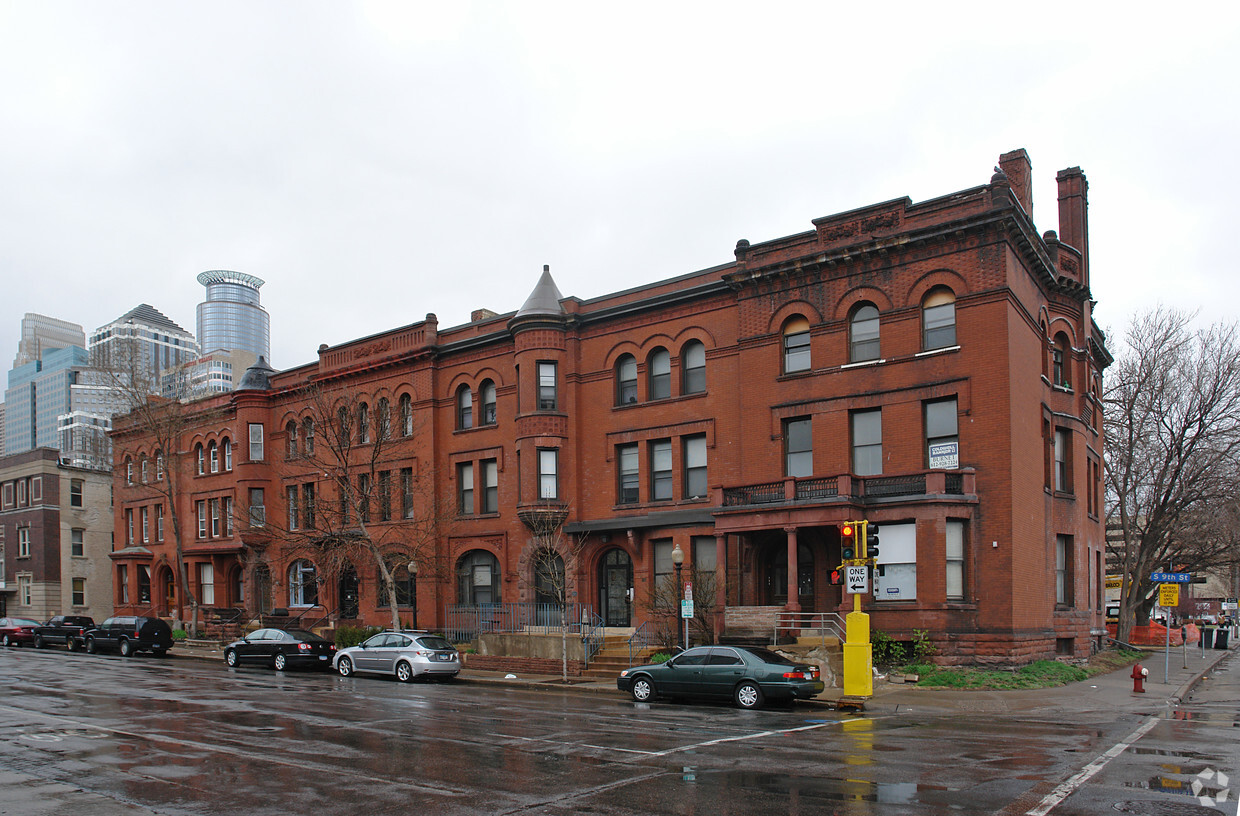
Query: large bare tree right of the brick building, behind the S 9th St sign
{"type": "Point", "coordinates": [1172, 427]}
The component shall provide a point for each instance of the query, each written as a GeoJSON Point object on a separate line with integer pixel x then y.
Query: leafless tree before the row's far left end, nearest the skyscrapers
{"type": "Point", "coordinates": [163, 422]}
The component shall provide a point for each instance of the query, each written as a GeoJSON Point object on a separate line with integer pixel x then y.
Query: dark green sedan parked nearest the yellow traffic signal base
{"type": "Point", "coordinates": [748, 675]}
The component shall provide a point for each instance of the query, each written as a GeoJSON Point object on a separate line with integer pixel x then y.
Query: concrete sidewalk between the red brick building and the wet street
{"type": "Point", "coordinates": [1169, 683]}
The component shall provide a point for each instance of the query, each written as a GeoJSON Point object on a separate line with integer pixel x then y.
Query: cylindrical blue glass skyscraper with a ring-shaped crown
{"type": "Point", "coordinates": [231, 318]}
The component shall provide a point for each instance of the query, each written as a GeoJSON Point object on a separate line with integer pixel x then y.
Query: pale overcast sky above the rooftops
{"type": "Point", "coordinates": [375, 162]}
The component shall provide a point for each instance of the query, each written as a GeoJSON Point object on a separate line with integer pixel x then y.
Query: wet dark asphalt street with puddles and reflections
{"type": "Point", "coordinates": [100, 736]}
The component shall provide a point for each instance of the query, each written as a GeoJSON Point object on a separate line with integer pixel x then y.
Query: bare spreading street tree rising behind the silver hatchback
{"type": "Point", "coordinates": [363, 497]}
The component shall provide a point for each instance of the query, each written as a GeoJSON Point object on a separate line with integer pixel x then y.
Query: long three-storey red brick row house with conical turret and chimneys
{"type": "Point", "coordinates": [933, 368]}
